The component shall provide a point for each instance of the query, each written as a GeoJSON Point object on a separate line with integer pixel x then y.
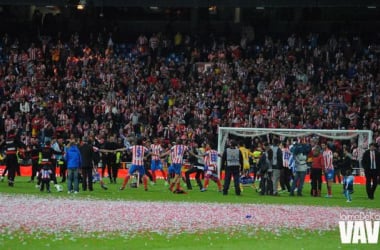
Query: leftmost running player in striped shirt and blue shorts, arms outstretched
{"type": "Point", "coordinates": [139, 152]}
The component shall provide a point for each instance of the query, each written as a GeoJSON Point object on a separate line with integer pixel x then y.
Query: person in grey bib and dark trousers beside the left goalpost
{"type": "Point", "coordinates": [232, 163]}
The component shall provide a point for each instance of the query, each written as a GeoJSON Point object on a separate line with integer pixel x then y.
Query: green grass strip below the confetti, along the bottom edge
{"type": "Point", "coordinates": [204, 240]}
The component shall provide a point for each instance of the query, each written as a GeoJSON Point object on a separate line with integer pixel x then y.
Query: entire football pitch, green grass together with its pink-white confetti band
{"type": "Point", "coordinates": [158, 219]}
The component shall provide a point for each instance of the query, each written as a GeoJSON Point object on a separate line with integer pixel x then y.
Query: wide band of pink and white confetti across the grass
{"type": "Point", "coordinates": [31, 214]}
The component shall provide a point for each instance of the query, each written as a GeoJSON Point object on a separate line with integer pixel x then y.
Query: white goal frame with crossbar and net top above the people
{"type": "Point", "coordinates": [364, 137]}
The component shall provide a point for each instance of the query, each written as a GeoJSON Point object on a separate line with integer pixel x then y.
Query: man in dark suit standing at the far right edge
{"type": "Point", "coordinates": [371, 165]}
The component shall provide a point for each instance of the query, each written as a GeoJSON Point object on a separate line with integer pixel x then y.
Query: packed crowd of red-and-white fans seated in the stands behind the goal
{"type": "Point", "coordinates": [186, 86]}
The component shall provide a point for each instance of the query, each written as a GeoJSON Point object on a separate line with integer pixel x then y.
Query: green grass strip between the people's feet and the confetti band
{"type": "Point", "coordinates": [160, 192]}
